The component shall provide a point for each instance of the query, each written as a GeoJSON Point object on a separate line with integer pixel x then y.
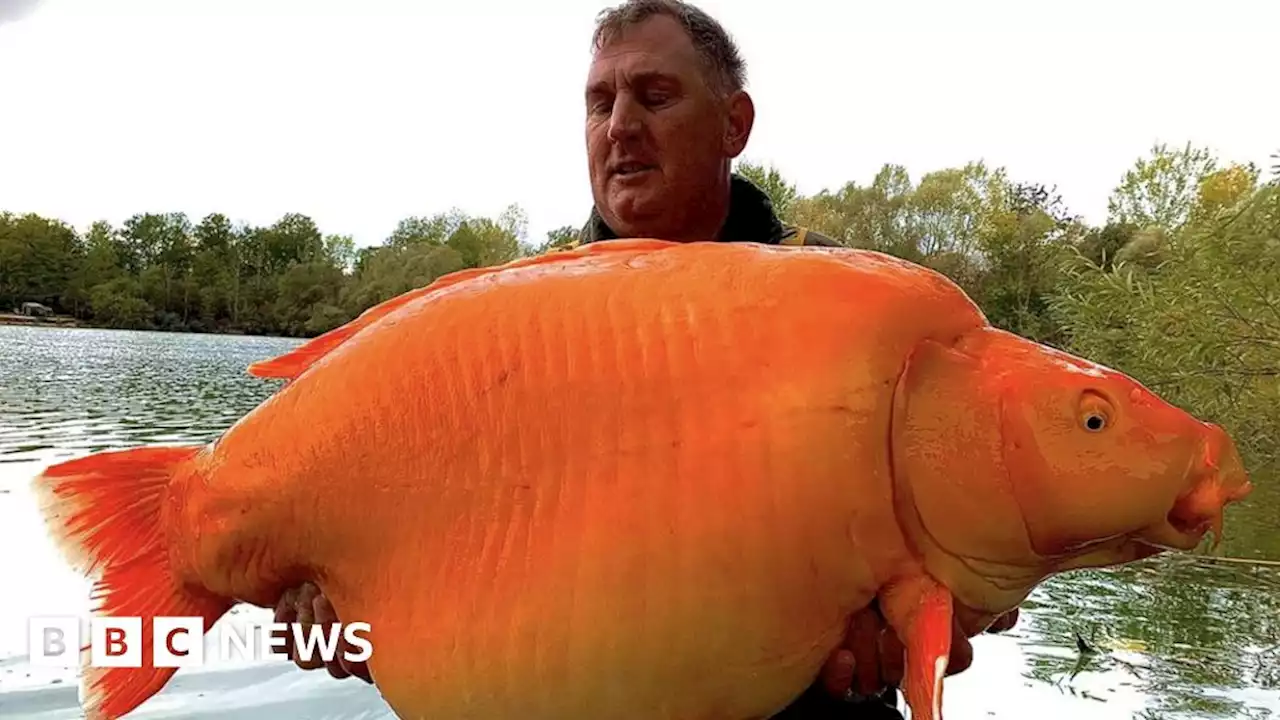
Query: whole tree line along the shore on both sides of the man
{"type": "Point", "coordinates": [1181, 286]}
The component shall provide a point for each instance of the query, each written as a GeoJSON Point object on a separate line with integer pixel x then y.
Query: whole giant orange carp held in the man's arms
{"type": "Point", "coordinates": [648, 481]}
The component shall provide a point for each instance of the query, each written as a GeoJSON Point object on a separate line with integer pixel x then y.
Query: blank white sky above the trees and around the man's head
{"type": "Point", "coordinates": [362, 117]}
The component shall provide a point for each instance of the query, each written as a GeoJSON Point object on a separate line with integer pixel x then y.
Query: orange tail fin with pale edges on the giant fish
{"type": "Point", "coordinates": [106, 514]}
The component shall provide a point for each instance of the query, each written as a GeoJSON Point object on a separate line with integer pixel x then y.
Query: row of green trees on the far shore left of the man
{"type": "Point", "coordinates": [159, 271]}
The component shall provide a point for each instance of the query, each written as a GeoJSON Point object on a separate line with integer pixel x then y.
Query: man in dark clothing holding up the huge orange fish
{"type": "Point", "coordinates": [666, 116]}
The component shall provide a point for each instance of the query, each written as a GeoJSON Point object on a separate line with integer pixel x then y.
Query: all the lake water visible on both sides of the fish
{"type": "Point", "coordinates": [1172, 639]}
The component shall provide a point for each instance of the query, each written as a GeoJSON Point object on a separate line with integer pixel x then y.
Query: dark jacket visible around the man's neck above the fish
{"type": "Point", "coordinates": [751, 220]}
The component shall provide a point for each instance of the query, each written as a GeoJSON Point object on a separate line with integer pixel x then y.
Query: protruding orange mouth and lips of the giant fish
{"type": "Point", "coordinates": [1218, 480]}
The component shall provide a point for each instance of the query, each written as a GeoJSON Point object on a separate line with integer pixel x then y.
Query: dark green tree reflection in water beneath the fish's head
{"type": "Point", "coordinates": [1200, 639]}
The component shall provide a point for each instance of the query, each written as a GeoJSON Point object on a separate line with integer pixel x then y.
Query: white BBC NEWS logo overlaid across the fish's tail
{"type": "Point", "coordinates": [181, 642]}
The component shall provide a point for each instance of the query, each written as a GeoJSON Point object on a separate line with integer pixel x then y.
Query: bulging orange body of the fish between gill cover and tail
{"type": "Point", "coordinates": [655, 490]}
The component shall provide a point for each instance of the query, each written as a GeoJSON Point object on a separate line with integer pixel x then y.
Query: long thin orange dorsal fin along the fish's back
{"type": "Point", "coordinates": [292, 364]}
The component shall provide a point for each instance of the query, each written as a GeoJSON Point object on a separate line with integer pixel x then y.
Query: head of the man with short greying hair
{"type": "Point", "coordinates": [666, 115]}
